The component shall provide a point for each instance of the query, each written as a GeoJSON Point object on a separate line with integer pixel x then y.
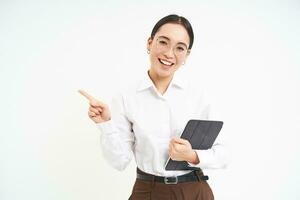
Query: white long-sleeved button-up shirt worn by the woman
{"type": "Point", "coordinates": [143, 122]}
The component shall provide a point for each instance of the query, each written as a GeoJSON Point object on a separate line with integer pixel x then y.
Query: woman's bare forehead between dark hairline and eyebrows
{"type": "Point", "coordinates": [175, 32]}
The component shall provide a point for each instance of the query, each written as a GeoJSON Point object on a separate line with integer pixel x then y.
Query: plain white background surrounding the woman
{"type": "Point", "coordinates": [246, 55]}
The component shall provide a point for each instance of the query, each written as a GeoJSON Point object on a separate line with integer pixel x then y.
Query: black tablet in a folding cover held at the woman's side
{"type": "Point", "coordinates": [201, 134]}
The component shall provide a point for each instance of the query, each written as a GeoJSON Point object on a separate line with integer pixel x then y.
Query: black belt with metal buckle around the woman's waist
{"type": "Point", "coordinates": [192, 176]}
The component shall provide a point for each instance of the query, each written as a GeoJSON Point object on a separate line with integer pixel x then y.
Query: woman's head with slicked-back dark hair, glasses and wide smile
{"type": "Point", "coordinates": [169, 46]}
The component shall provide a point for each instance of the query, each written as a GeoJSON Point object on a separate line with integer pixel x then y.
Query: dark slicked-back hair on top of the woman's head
{"type": "Point", "coordinates": [175, 19]}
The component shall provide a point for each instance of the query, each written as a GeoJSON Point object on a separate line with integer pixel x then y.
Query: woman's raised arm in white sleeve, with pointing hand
{"type": "Point", "coordinates": [117, 137]}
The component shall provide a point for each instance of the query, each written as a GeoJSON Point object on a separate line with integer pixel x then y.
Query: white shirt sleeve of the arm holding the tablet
{"type": "Point", "coordinates": [217, 156]}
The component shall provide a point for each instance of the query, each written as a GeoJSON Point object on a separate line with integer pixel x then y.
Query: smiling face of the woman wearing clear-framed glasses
{"type": "Point", "coordinates": [168, 49]}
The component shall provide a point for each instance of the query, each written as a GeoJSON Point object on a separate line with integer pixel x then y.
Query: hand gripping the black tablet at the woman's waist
{"type": "Point", "coordinates": [181, 150]}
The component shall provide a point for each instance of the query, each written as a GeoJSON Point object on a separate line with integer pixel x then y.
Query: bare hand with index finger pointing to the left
{"type": "Point", "coordinates": [98, 111]}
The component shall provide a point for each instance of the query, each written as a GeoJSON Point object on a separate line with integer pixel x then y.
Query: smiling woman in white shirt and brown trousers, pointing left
{"type": "Point", "coordinates": [148, 118]}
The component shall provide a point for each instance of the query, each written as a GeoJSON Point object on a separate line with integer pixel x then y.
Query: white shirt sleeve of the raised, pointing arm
{"type": "Point", "coordinates": [117, 138]}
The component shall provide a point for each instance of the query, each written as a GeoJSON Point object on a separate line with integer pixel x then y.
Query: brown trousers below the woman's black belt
{"type": "Point", "coordinates": [146, 190]}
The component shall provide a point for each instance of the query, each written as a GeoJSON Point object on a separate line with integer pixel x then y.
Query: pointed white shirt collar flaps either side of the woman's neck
{"type": "Point", "coordinates": [177, 80]}
